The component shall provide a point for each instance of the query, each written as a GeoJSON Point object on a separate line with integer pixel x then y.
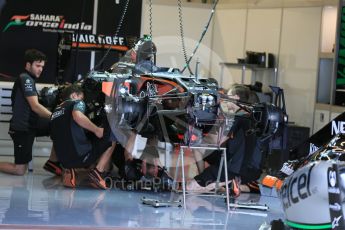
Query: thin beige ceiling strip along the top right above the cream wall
{"type": "Point", "coordinates": [270, 3]}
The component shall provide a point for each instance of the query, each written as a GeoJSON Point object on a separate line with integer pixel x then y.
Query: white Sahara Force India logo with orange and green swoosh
{"type": "Point", "coordinates": [46, 22]}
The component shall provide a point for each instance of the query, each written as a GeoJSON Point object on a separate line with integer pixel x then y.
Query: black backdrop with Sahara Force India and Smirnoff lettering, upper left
{"type": "Point", "coordinates": [55, 24]}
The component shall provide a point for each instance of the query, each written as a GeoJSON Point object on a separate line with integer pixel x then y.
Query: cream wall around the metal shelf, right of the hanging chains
{"type": "Point", "coordinates": [291, 34]}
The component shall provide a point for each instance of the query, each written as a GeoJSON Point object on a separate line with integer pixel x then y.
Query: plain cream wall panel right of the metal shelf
{"type": "Point", "coordinates": [298, 61]}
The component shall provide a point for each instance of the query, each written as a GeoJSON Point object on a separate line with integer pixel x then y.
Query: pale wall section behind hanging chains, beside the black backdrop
{"type": "Point", "coordinates": [166, 34]}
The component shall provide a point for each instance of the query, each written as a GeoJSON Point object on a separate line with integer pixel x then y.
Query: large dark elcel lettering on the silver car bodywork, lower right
{"type": "Point", "coordinates": [297, 188]}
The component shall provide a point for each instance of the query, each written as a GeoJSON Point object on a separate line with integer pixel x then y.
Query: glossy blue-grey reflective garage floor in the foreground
{"type": "Point", "coordinates": [39, 201]}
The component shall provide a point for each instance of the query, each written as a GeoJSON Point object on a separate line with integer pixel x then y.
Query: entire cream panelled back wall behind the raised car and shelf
{"type": "Point", "coordinates": [291, 34]}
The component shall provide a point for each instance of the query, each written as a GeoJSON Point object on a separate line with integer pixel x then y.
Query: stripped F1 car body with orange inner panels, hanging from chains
{"type": "Point", "coordinates": [164, 104]}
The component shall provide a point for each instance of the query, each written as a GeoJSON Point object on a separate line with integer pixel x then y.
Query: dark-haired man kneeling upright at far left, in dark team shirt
{"type": "Point", "coordinates": [29, 117]}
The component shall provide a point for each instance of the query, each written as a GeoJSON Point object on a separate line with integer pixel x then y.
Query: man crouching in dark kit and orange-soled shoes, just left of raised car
{"type": "Point", "coordinates": [73, 147]}
